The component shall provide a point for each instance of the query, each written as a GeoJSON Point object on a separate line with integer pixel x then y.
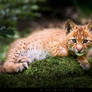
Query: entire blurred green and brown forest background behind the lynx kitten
{"type": "Point", "coordinates": [18, 18]}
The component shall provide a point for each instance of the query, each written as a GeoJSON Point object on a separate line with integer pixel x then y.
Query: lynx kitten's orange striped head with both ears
{"type": "Point", "coordinates": [79, 37]}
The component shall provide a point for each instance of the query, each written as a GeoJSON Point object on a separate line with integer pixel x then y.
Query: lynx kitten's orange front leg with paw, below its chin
{"type": "Point", "coordinates": [84, 62]}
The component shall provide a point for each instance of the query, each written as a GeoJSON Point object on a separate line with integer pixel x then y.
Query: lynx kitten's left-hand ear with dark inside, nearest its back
{"type": "Point", "coordinates": [69, 25]}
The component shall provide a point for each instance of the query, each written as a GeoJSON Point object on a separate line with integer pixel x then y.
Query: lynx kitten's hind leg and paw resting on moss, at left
{"type": "Point", "coordinates": [16, 66]}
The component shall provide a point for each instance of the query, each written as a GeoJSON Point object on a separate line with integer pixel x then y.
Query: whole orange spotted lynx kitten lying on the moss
{"type": "Point", "coordinates": [55, 42]}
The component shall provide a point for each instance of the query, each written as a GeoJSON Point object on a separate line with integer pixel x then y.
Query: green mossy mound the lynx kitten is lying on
{"type": "Point", "coordinates": [52, 72]}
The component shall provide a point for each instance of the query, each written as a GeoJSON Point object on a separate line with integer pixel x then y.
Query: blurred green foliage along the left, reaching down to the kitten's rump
{"type": "Point", "coordinates": [11, 11]}
